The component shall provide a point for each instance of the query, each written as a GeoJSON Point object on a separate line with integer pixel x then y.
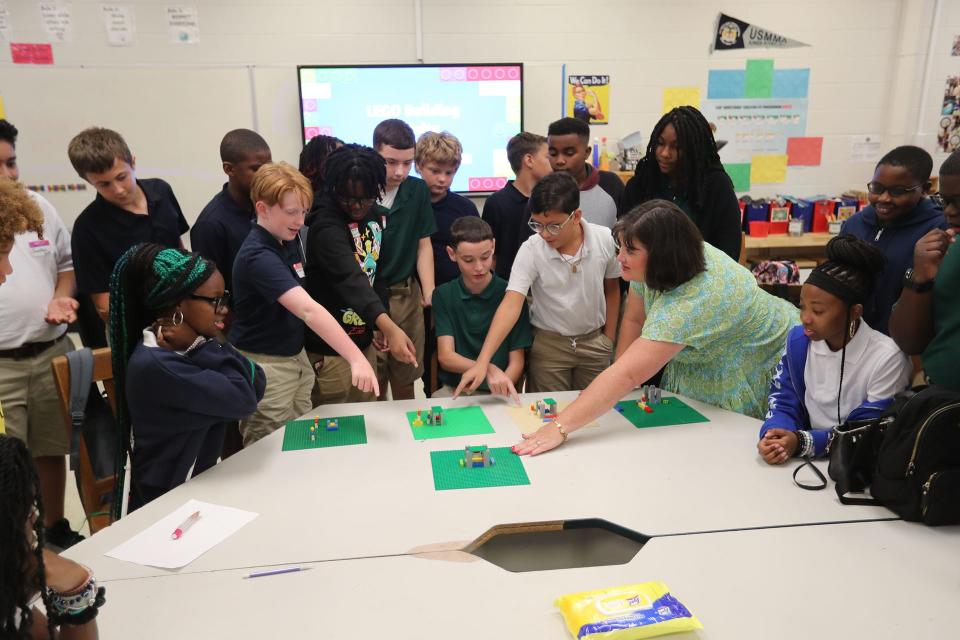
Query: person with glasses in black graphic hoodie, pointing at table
{"type": "Point", "coordinates": [344, 251]}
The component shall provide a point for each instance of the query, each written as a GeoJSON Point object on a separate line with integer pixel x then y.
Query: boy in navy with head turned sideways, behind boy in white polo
{"type": "Point", "coordinates": [506, 210]}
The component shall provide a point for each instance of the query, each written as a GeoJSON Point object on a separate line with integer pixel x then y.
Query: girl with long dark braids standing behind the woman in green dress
{"type": "Point", "coordinates": [682, 165]}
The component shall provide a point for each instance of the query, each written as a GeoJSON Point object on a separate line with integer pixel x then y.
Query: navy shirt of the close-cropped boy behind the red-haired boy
{"type": "Point", "coordinates": [220, 230]}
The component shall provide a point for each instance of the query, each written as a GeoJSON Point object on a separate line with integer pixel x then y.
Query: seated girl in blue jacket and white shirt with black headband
{"type": "Point", "coordinates": [835, 367]}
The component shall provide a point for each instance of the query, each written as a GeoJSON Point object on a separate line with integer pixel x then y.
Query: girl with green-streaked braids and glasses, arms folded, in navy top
{"type": "Point", "coordinates": [177, 383]}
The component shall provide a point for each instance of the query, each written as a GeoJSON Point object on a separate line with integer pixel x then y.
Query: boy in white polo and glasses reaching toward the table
{"type": "Point", "coordinates": [571, 270]}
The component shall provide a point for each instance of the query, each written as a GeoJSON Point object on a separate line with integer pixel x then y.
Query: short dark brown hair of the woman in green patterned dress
{"type": "Point", "coordinates": [674, 244]}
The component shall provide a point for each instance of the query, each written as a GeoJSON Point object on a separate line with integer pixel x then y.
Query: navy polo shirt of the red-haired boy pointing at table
{"type": "Point", "coordinates": [264, 270]}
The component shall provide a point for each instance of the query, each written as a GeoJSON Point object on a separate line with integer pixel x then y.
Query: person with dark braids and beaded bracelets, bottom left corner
{"type": "Point", "coordinates": [28, 572]}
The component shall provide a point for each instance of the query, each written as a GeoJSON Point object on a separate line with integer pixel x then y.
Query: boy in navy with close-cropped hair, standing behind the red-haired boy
{"type": "Point", "coordinates": [226, 221]}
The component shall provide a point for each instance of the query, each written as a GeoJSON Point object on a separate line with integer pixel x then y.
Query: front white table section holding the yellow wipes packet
{"type": "Point", "coordinates": [878, 580]}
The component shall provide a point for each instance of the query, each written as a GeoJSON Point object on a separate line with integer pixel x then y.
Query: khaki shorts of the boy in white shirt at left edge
{"type": "Point", "coordinates": [30, 402]}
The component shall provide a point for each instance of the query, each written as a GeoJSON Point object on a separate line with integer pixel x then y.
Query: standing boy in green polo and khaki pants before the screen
{"type": "Point", "coordinates": [407, 267]}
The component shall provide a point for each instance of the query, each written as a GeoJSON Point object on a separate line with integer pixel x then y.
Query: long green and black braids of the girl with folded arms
{"type": "Point", "coordinates": [146, 280]}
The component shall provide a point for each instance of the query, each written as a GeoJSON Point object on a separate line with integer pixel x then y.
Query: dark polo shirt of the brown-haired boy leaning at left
{"type": "Point", "coordinates": [103, 232]}
